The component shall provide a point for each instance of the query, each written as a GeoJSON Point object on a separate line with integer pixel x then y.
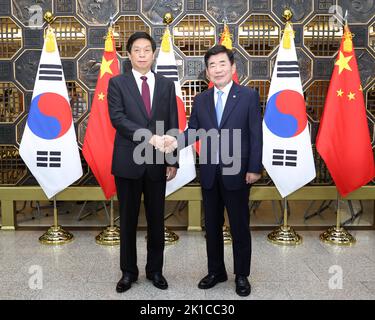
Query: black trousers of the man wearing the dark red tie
{"type": "Point", "coordinates": [129, 192]}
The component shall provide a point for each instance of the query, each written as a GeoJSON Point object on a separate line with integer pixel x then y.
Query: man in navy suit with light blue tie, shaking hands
{"type": "Point", "coordinates": [233, 113]}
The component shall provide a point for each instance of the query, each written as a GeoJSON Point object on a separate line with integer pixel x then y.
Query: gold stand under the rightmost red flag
{"type": "Point", "coordinates": [336, 234]}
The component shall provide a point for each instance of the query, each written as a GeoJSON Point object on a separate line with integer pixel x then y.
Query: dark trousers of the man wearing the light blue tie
{"type": "Point", "coordinates": [237, 204]}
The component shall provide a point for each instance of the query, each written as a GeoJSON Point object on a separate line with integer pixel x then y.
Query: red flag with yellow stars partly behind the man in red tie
{"type": "Point", "coordinates": [100, 134]}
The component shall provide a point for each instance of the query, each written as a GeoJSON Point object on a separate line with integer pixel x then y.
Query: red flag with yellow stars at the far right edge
{"type": "Point", "coordinates": [343, 139]}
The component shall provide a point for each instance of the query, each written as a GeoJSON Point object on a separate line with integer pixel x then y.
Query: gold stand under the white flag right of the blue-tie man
{"type": "Point", "coordinates": [285, 235]}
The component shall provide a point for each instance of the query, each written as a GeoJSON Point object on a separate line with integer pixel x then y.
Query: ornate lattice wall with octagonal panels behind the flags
{"type": "Point", "coordinates": [256, 27]}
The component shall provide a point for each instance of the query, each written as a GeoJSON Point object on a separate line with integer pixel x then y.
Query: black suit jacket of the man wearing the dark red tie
{"type": "Point", "coordinates": [128, 114]}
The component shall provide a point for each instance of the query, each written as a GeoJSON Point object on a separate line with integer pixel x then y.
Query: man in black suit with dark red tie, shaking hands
{"type": "Point", "coordinates": [139, 100]}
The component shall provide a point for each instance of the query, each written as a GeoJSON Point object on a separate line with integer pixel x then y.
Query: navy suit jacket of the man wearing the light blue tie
{"type": "Point", "coordinates": [242, 111]}
